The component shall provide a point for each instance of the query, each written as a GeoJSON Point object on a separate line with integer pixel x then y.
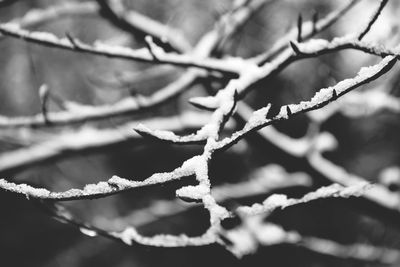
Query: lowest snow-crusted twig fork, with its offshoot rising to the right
{"type": "Point", "coordinates": [214, 233]}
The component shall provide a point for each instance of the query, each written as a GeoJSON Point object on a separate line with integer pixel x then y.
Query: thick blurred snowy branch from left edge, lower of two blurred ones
{"type": "Point", "coordinates": [89, 138]}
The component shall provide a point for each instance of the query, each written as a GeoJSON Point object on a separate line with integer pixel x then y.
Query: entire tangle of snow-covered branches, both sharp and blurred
{"type": "Point", "coordinates": [235, 77]}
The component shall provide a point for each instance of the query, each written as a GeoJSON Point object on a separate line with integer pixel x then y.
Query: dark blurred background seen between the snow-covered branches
{"type": "Point", "coordinates": [367, 144]}
